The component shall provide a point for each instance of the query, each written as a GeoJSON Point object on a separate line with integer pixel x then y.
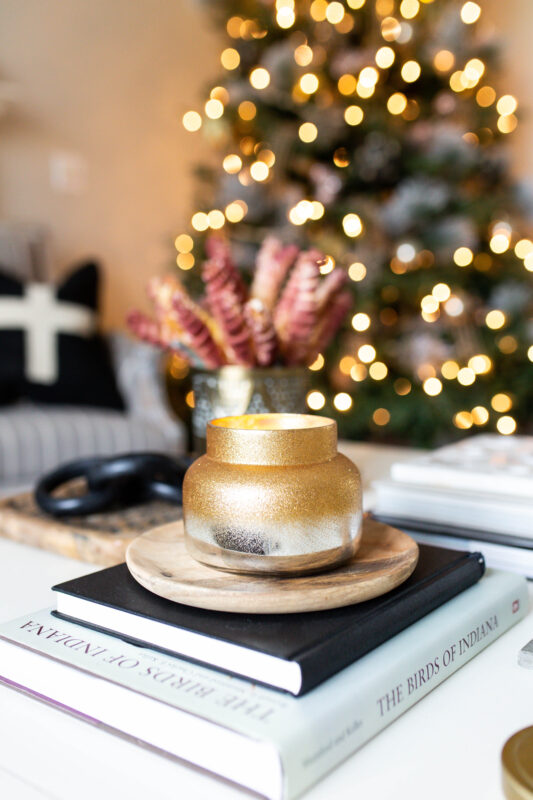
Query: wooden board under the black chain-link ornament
{"type": "Point", "coordinates": [96, 539]}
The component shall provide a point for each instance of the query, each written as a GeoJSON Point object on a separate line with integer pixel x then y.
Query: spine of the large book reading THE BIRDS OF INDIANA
{"type": "Point", "coordinates": [371, 695]}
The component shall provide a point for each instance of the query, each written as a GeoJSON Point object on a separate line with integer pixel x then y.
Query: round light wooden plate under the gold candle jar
{"type": "Point", "coordinates": [159, 561]}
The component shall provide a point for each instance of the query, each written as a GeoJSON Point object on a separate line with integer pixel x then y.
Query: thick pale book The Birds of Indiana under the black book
{"type": "Point", "coordinates": [270, 742]}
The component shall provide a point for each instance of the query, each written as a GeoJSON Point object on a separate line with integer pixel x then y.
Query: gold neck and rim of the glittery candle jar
{"type": "Point", "coordinates": [272, 439]}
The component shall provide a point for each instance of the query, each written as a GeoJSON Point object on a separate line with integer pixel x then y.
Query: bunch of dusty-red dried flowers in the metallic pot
{"type": "Point", "coordinates": [230, 325]}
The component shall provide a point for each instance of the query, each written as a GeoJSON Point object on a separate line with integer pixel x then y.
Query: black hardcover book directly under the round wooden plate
{"type": "Point", "coordinates": [294, 652]}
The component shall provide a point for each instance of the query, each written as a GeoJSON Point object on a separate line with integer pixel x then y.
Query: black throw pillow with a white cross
{"type": "Point", "coordinates": [50, 351]}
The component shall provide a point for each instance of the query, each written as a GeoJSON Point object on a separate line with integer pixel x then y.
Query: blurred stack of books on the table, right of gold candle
{"type": "Point", "coordinates": [473, 495]}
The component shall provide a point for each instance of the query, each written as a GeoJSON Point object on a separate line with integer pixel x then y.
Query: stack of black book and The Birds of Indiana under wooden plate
{"type": "Point", "coordinates": [272, 702]}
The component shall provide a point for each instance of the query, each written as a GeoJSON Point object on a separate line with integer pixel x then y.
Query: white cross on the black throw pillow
{"type": "Point", "coordinates": [42, 316]}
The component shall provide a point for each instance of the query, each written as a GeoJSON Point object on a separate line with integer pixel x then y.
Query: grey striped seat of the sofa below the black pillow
{"type": "Point", "coordinates": [35, 439]}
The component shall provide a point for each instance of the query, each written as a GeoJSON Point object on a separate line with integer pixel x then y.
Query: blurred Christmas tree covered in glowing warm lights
{"type": "Point", "coordinates": [370, 129]}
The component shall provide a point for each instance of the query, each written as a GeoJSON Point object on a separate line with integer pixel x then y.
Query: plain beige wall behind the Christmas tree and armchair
{"type": "Point", "coordinates": [108, 81]}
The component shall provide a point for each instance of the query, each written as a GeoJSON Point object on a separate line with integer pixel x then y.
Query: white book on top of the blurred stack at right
{"type": "Point", "coordinates": [486, 463]}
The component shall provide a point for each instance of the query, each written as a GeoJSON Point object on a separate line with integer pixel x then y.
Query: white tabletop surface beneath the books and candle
{"type": "Point", "coordinates": [446, 747]}
